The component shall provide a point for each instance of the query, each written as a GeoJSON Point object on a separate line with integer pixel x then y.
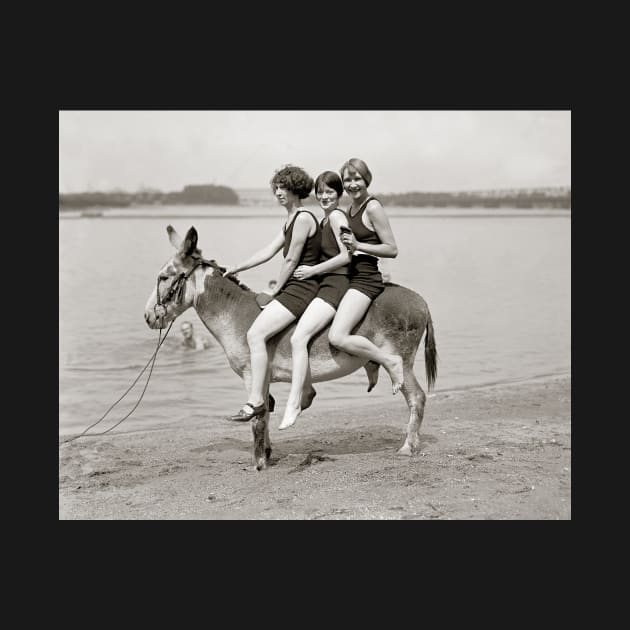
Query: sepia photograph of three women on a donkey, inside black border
{"type": "Point", "coordinates": [314, 314]}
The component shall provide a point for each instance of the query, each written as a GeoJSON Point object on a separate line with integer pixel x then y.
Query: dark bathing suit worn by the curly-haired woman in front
{"type": "Point", "coordinates": [296, 294]}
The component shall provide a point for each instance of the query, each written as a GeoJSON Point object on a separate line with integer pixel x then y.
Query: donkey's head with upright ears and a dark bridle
{"type": "Point", "coordinates": [176, 287]}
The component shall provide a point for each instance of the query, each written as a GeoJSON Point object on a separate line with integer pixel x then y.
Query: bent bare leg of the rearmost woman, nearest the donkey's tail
{"type": "Point", "coordinates": [353, 307]}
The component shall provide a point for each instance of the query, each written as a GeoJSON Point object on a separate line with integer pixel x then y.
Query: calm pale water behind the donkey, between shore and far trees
{"type": "Point", "coordinates": [498, 288]}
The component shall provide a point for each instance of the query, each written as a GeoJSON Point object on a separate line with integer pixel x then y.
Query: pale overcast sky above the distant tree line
{"type": "Point", "coordinates": [405, 150]}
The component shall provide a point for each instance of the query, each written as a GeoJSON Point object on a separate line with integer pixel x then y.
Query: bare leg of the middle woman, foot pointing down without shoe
{"type": "Point", "coordinates": [315, 317]}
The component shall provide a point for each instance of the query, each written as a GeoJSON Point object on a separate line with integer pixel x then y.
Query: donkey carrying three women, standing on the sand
{"type": "Point", "coordinates": [396, 322]}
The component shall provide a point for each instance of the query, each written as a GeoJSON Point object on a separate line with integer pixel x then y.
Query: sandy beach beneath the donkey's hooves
{"type": "Point", "coordinates": [497, 452]}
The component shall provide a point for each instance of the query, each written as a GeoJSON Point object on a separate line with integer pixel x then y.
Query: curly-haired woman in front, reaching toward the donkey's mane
{"type": "Point", "coordinates": [300, 241]}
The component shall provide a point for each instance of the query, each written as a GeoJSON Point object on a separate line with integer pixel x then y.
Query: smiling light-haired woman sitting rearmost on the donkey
{"type": "Point", "coordinates": [371, 237]}
